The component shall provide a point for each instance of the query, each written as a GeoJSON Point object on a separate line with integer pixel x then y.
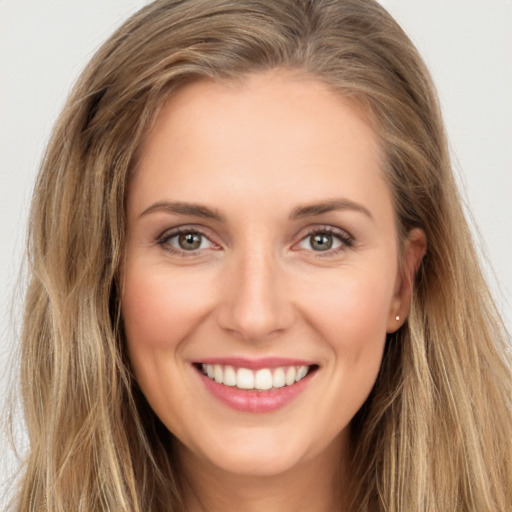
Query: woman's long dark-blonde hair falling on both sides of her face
{"type": "Point", "coordinates": [434, 435]}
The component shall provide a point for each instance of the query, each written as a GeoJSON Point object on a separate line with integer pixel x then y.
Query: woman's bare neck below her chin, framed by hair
{"type": "Point", "coordinates": [317, 484]}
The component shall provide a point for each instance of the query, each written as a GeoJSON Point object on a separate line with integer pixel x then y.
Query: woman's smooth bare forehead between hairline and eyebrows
{"type": "Point", "coordinates": [279, 136]}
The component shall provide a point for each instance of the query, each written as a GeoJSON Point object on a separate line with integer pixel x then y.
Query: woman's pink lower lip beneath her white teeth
{"type": "Point", "coordinates": [252, 400]}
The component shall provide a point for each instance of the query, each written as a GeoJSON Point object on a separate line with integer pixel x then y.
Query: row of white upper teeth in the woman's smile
{"type": "Point", "coordinates": [261, 380]}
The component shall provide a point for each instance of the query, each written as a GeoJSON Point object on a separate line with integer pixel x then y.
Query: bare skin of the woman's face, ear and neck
{"type": "Point", "coordinates": [255, 152]}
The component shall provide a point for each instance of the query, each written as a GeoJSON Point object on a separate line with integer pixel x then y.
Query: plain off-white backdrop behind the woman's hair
{"type": "Point", "coordinates": [44, 44]}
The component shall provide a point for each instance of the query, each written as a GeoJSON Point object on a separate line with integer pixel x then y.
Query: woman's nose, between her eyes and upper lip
{"type": "Point", "coordinates": [256, 302]}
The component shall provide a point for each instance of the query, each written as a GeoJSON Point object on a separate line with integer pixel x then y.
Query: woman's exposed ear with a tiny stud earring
{"type": "Point", "coordinates": [415, 249]}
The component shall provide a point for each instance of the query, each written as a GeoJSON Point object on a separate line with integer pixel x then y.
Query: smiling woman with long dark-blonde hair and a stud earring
{"type": "Point", "coordinates": [253, 283]}
